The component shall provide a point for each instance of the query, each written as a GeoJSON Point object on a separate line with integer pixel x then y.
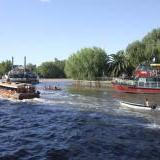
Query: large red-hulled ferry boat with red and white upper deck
{"type": "Point", "coordinates": [146, 79]}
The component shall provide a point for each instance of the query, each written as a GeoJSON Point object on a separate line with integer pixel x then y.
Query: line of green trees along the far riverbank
{"type": "Point", "coordinates": [90, 63]}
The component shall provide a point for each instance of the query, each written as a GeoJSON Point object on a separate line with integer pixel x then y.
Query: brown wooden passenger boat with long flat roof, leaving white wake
{"type": "Point", "coordinates": [18, 90]}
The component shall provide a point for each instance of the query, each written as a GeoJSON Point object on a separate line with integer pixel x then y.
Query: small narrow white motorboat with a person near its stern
{"type": "Point", "coordinates": [139, 106]}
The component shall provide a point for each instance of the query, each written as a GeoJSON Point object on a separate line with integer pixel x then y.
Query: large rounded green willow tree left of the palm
{"type": "Point", "coordinates": [86, 64]}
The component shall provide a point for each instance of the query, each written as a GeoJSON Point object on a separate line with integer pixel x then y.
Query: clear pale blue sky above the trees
{"type": "Point", "coordinates": [45, 29]}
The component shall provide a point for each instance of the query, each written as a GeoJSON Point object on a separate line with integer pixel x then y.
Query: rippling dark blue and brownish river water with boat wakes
{"type": "Point", "coordinates": [78, 124]}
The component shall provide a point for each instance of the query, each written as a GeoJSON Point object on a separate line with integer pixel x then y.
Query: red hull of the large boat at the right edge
{"type": "Point", "coordinates": [134, 89]}
